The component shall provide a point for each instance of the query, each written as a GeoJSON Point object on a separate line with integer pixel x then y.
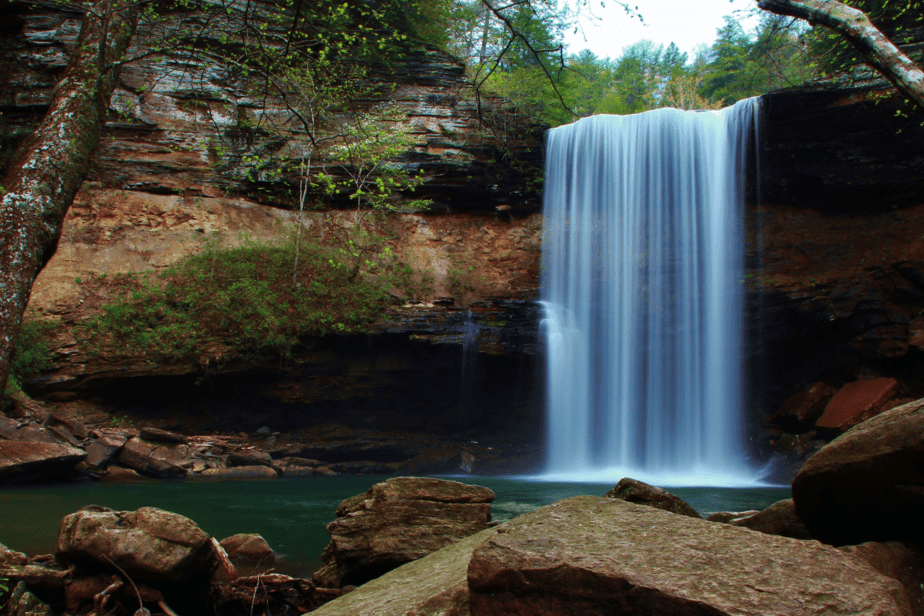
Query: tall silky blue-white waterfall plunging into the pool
{"type": "Point", "coordinates": [642, 291]}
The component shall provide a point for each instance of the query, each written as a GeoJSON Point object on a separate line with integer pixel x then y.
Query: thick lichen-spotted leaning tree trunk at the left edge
{"type": "Point", "coordinates": [42, 181]}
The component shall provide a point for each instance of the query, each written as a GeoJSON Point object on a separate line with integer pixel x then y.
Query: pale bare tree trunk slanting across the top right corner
{"type": "Point", "coordinates": [856, 27]}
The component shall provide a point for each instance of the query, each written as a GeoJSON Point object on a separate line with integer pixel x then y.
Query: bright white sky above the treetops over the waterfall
{"type": "Point", "coordinates": [688, 23]}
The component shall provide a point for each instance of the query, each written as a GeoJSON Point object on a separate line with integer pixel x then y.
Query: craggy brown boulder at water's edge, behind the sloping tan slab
{"type": "Point", "coordinates": [398, 521]}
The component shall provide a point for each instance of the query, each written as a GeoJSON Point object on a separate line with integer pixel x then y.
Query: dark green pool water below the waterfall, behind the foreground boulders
{"type": "Point", "coordinates": [291, 514]}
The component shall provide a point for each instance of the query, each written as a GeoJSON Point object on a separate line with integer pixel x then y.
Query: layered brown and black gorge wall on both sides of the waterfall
{"type": "Point", "coordinates": [835, 264]}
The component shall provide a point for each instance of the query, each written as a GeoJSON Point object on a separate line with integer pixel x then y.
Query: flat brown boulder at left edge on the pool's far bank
{"type": "Point", "coordinates": [32, 460]}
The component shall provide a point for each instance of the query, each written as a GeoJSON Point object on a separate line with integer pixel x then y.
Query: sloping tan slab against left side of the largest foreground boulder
{"type": "Point", "coordinates": [435, 585]}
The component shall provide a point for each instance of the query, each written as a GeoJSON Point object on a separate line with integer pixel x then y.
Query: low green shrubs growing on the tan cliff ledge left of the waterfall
{"type": "Point", "coordinates": [245, 297]}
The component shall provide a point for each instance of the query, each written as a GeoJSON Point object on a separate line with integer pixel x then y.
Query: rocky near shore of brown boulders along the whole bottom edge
{"type": "Point", "coordinates": [849, 542]}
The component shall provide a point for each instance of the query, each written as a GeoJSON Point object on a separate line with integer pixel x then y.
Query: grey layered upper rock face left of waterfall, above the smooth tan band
{"type": "Point", "coordinates": [184, 123]}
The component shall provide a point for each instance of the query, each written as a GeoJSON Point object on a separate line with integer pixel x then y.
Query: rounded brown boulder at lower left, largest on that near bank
{"type": "Point", "coordinates": [148, 544]}
